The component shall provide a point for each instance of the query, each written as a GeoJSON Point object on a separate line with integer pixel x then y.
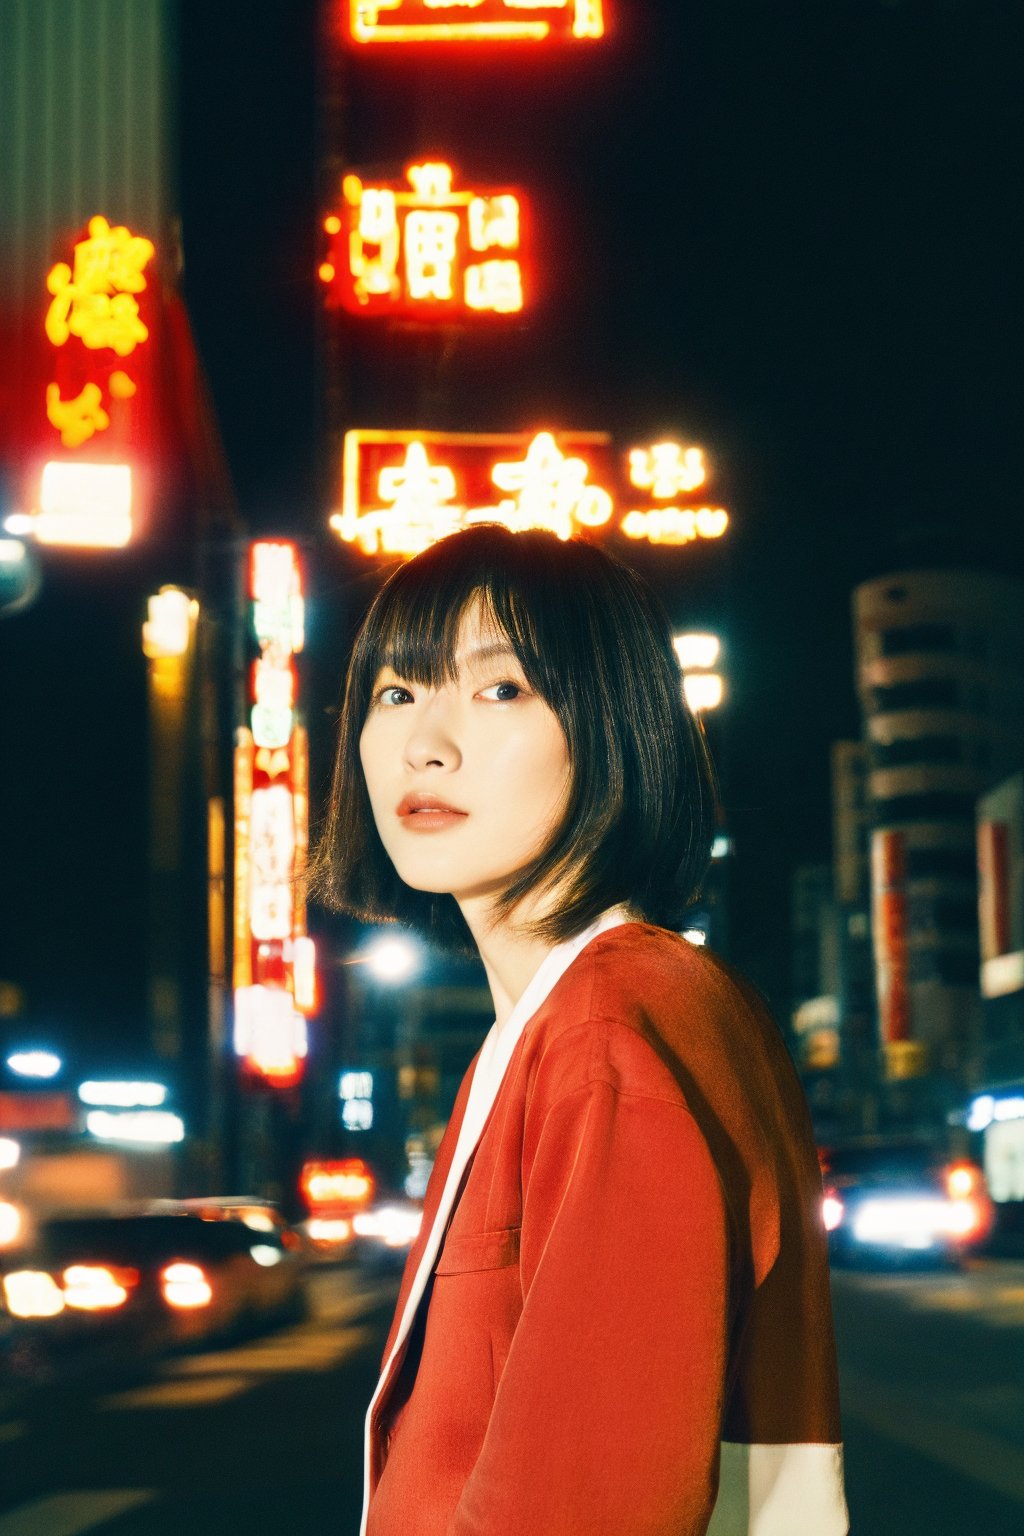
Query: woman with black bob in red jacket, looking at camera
{"type": "Point", "coordinates": [616, 1320]}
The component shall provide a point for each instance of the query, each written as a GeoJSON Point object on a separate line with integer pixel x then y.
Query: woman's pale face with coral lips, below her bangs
{"type": "Point", "coordinates": [484, 747]}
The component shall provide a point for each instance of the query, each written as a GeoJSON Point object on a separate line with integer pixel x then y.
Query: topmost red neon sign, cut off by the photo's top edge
{"type": "Point", "coordinates": [475, 21]}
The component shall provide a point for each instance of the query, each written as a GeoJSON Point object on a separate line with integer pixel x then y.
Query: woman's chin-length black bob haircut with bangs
{"type": "Point", "coordinates": [596, 644]}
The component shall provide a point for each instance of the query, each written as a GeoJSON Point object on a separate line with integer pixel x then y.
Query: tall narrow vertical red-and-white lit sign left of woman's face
{"type": "Point", "coordinates": [274, 970]}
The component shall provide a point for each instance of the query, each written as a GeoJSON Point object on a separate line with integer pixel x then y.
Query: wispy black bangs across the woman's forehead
{"type": "Point", "coordinates": [415, 624]}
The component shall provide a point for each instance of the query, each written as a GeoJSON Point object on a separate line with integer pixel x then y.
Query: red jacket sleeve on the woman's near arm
{"type": "Point", "coordinates": [606, 1420]}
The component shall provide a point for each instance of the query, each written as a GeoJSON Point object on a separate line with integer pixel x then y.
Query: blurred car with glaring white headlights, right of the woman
{"type": "Point", "coordinates": [902, 1199]}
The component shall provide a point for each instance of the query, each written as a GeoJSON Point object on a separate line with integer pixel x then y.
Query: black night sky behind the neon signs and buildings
{"type": "Point", "coordinates": [790, 233]}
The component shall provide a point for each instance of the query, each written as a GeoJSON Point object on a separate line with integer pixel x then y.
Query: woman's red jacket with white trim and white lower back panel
{"type": "Point", "coordinates": [633, 1276]}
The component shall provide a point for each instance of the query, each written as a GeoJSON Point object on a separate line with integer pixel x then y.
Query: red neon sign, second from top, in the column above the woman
{"type": "Point", "coordinates": [426, 250]}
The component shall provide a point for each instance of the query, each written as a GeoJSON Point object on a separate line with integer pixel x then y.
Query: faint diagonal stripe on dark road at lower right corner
{"type": "Point", "coordinates": [899, 1417]}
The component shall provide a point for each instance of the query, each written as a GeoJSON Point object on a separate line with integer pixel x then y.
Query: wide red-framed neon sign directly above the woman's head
{"type": "Point", "coordinates": [405, 491]}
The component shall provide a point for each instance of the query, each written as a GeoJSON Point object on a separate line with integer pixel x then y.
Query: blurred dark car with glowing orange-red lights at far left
{"type": "Point", "coordinates": [153, 1280]}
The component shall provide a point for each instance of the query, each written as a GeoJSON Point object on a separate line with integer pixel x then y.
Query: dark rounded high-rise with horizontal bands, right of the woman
{"type": "Point", "coordinates": [940, 677]}
